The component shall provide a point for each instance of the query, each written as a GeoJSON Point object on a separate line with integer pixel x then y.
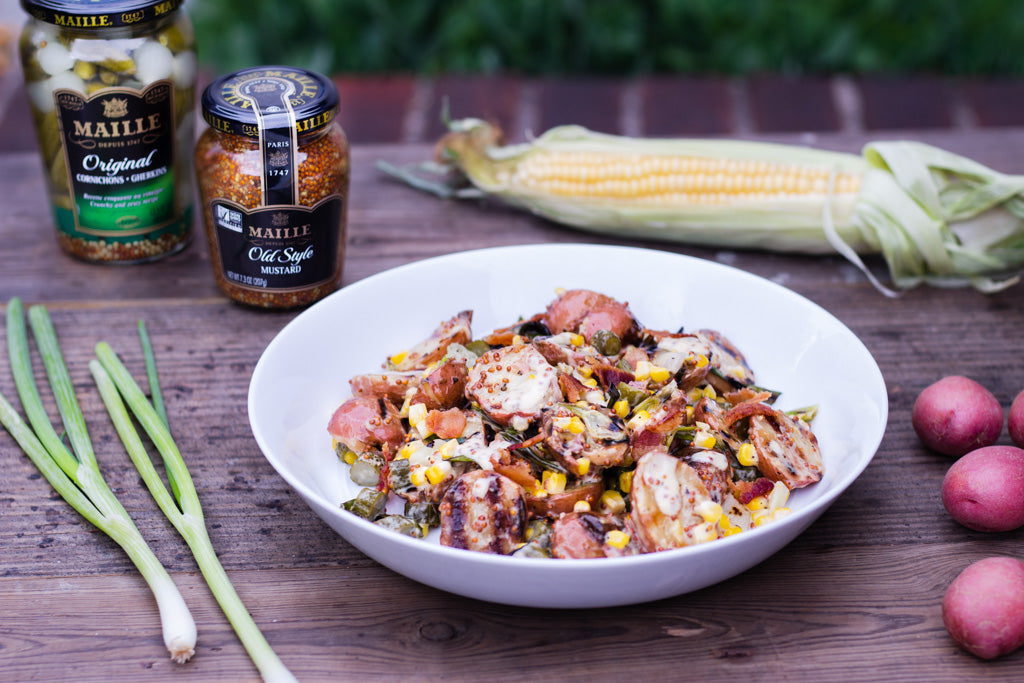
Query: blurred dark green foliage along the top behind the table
{"type": "Point", "coordinates": [615, 37]}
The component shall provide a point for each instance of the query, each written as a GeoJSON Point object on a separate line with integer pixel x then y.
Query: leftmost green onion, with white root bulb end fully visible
{"type": "Point", "coordinates": [79, 481]}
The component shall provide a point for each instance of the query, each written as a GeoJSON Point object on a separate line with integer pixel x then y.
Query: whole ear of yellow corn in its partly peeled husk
{"type": "Point", "coordinates": [935, 218]}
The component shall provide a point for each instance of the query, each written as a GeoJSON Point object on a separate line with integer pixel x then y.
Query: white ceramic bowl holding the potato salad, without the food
{"type": "Point", "coordinates": [792, 345]}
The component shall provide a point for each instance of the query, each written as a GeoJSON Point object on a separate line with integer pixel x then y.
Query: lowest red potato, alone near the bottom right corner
{"type": "Point", "coordinates": [984, 609]}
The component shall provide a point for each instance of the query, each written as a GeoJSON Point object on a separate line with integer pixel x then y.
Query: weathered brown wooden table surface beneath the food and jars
{"type": "Point", "coordinates": [857, 597]}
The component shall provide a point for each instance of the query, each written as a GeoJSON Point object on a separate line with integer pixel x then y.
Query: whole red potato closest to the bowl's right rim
{"type": "Point", "coordinates": [957, 415]}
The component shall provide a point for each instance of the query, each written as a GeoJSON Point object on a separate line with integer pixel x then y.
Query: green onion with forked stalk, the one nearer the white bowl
{"type": "Point", "coordinates": [184, 508]}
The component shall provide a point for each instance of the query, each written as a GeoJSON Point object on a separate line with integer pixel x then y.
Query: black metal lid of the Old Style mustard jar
{"type": "Point", "coordinates": [228, 106]}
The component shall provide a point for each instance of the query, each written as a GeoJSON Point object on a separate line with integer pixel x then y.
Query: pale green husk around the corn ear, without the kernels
{"type": "Point", "coordinates": [936, 218]}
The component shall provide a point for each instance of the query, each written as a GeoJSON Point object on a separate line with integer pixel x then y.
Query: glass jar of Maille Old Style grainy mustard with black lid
{"type": "Point", "coordinates": [273, 172]}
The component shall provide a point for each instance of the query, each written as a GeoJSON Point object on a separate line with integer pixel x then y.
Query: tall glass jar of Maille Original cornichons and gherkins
{"type": "Point", "coordinates": [112, 89]}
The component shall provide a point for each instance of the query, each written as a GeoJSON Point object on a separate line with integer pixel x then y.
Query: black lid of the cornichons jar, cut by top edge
{"type": "Point", "coordinates": [99, 15]}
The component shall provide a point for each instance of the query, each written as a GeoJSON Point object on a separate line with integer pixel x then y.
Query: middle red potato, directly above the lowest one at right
{"type": "Point", "coordinates": [984, 490]}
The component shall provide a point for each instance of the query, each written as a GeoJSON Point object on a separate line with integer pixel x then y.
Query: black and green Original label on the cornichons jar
{"type": "Point", "coordinates": [119, 149]}
